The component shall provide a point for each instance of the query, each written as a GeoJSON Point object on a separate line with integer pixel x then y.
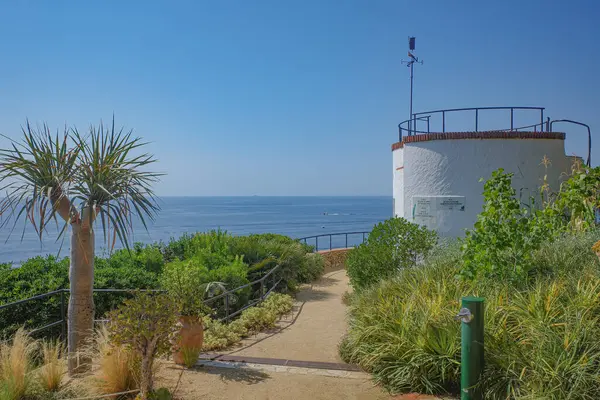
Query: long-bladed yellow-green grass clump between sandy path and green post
{"type": "Point", "coordinates": [402, 329]}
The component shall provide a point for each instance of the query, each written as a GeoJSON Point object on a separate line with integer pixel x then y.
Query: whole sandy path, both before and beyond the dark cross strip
{"type": "Point", "coordinates": [311, 333]}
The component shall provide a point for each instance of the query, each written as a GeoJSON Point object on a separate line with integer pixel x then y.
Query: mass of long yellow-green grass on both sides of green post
{"type": "Point", "coordinates": [541, 339]}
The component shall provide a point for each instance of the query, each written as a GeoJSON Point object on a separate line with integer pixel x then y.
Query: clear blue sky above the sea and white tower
{"type": "Point", "coordinates": [286, 97]}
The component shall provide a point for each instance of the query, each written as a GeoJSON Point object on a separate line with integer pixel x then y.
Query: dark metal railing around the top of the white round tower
{"type": "Point", "coordinates": [410, 126]}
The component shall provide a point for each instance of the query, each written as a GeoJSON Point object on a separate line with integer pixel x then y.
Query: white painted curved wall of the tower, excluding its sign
{"type": "Point", "coordinates": [454, 168]}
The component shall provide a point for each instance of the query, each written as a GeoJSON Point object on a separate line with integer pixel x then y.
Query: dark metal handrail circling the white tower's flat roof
{"type": "Point", "coordinates": [409, 125]}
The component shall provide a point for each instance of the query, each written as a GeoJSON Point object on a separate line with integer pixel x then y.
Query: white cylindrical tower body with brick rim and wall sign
{"type": "Point", "coordinates": [438, 176]}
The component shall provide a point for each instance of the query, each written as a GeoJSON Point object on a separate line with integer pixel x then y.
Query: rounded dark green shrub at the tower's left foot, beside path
{"type": "Point", "coordinates": [393, 245]}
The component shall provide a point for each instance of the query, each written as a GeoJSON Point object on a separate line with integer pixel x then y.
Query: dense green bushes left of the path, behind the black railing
{"type": "Point", "coordinates": [185, 264]}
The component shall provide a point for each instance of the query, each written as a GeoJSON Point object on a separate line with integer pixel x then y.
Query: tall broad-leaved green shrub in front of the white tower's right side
{"type": "Point", "coordinates": [507, 235]}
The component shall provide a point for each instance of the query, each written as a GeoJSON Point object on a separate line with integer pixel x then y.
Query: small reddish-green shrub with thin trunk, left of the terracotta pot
{"type": "Point", "coordinates": [145, 323]}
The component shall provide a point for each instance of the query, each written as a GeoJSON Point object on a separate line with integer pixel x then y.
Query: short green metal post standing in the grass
{"type": "Point", "coordinates": [472, 357]}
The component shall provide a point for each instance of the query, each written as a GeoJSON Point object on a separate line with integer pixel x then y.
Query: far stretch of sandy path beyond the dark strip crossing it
{"type": "Point", "coordinates": [313, 331]}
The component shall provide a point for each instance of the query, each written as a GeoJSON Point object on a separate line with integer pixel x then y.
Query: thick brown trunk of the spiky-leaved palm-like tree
{"type": "Point", "coordinates": [81, 301]}
